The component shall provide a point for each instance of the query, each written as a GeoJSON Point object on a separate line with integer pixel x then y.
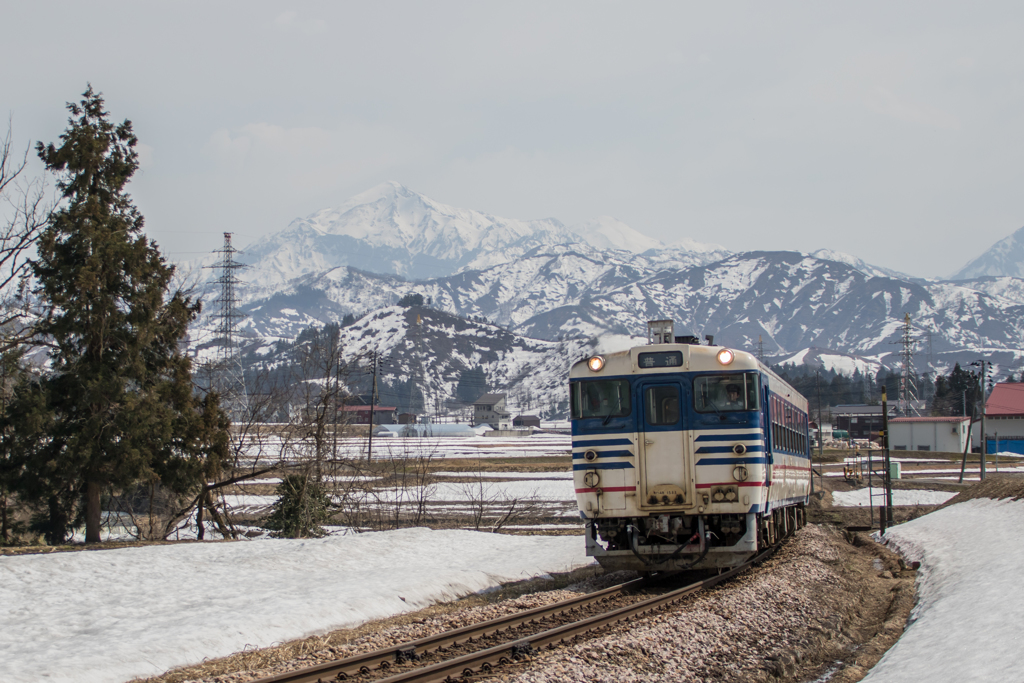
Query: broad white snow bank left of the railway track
{"type": "Point", "coordinates": [109, 616]}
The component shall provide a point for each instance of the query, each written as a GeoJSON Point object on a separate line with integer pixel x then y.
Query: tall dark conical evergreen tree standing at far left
{"type": "Point", "coordinates": [117, 405]}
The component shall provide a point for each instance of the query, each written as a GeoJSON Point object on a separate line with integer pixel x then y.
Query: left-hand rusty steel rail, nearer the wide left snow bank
{"type": "Point", "coordinates": [383, 659]}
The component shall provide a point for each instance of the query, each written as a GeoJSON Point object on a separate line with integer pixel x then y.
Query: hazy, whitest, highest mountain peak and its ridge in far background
{"type": "Point", "coordinates": [393, 230]}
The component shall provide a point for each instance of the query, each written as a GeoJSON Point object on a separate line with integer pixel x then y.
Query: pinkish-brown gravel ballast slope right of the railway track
{"type": "Point", "coordinates": [821, 605]}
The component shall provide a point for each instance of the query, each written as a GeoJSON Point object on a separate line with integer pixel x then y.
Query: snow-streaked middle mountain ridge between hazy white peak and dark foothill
{"type": "Point", "coordinates": [782, 303]}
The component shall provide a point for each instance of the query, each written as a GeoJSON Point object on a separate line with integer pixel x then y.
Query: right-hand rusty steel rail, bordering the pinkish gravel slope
{"type": "Point", "coordinates": [486, 661]}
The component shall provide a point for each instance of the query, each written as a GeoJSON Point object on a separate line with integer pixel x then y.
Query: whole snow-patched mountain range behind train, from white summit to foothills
{"type": "Point", "coordinates": [524, 300]}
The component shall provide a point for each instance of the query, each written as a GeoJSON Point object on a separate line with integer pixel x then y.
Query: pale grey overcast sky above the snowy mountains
{"type": "Point", "coordinates": [888, 132]}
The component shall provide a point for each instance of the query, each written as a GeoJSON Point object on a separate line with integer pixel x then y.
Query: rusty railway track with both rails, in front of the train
{"type": "Point", "coordinates": [440, 658]}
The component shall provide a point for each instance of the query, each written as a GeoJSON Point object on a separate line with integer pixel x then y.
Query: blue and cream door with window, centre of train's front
{"type": "Point", "coordinates": [666, 459]}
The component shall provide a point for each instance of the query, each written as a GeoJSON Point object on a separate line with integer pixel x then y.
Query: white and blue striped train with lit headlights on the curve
{"type": "Point", "coordinates": [687, 455]}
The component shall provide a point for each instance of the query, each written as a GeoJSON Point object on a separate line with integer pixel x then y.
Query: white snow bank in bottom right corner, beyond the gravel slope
{"type": "Point", "coordinates": [969, 619]}
